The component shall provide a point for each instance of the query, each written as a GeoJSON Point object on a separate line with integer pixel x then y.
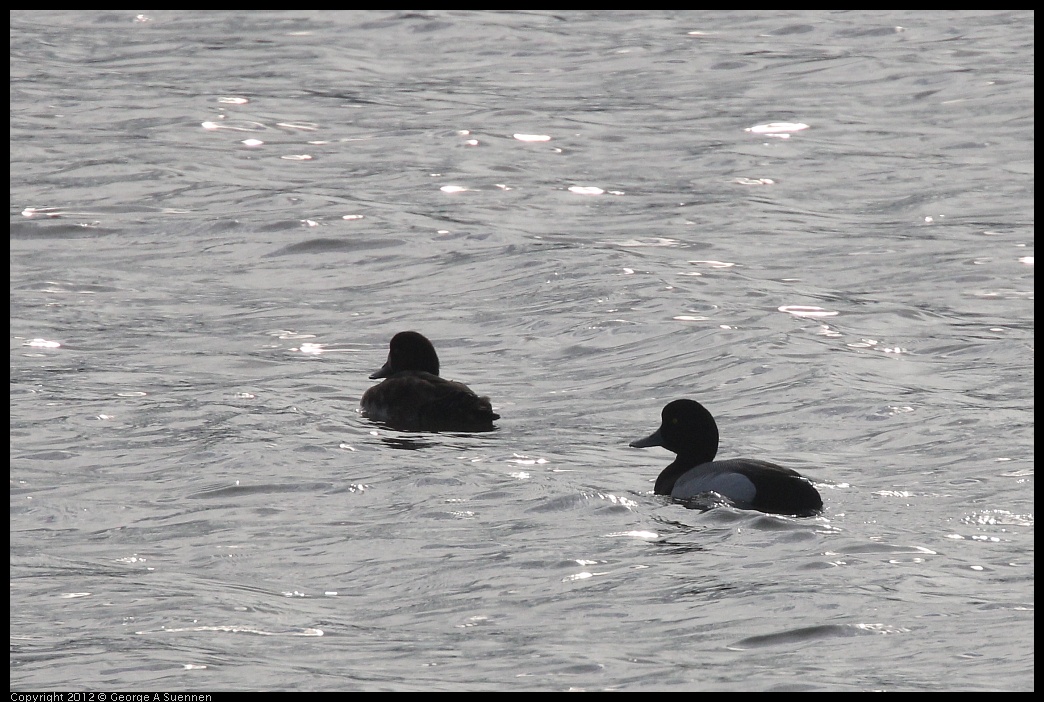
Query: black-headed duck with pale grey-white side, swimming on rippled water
{"type": "Point", "coordinates": [690, 430]}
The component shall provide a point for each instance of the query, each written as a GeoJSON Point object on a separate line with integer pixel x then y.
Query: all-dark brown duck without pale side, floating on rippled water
{"type": "Point", "coordinates": [414, 397]}
